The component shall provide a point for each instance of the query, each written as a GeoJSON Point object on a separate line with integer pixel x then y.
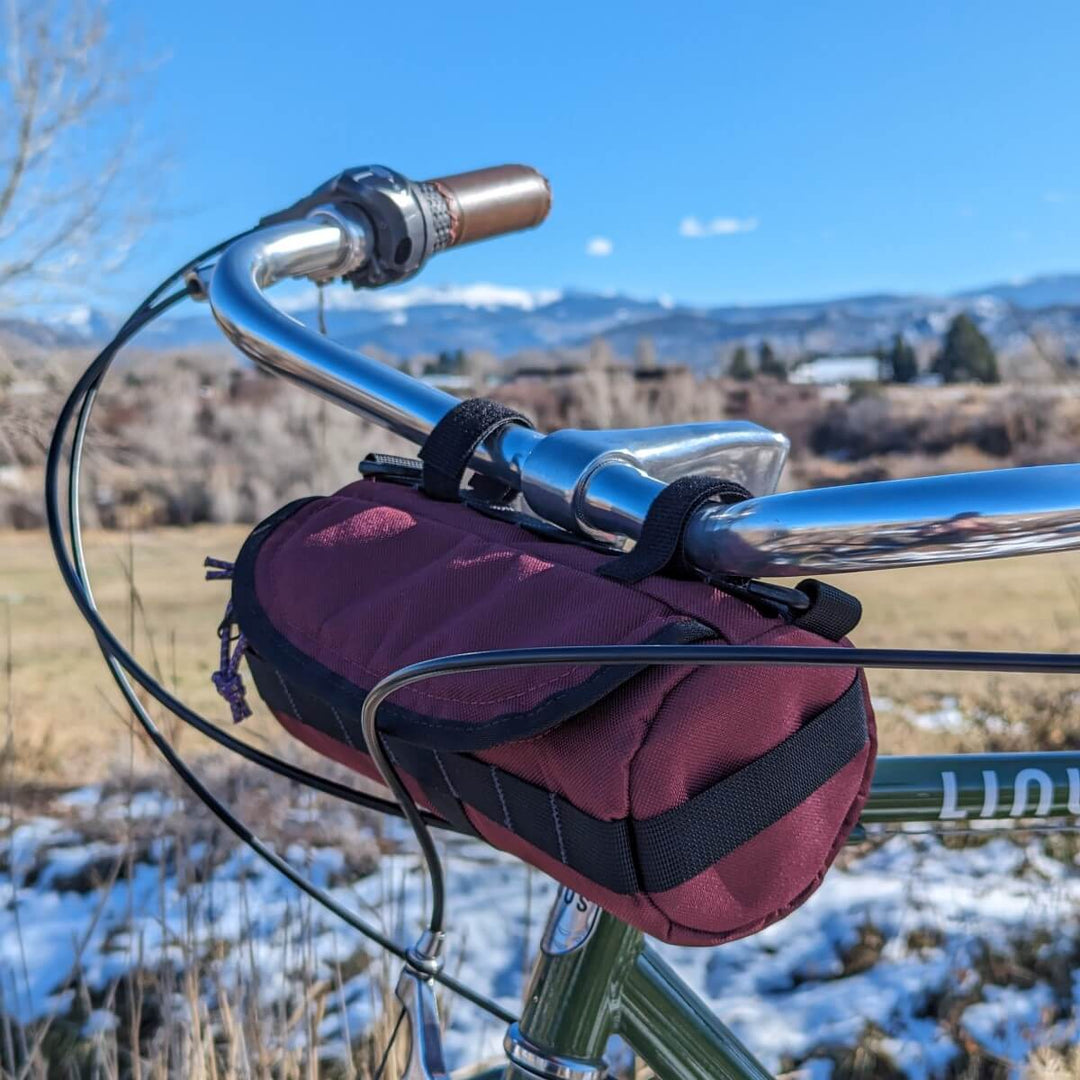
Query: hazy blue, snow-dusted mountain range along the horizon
{"type": "Point", "coordinates": [505, 321]}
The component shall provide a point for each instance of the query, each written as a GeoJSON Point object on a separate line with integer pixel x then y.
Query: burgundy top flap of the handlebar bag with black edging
{"type": "Point", "coordinates": [352, 587]}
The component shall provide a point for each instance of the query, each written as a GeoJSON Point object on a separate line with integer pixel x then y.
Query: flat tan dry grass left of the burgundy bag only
{"type": "Point", "coordinates": [71, 724]}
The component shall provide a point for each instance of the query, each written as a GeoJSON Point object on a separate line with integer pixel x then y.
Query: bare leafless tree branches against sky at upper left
{"type": "Point", "coordinates": [66, 138]}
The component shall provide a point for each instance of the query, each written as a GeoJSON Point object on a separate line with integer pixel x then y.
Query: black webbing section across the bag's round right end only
{"type": "Point", "coordinates": [681, 844]}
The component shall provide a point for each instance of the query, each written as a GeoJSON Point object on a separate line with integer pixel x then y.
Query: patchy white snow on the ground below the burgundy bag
{"type": "Point", "coordinates": [929, 946]}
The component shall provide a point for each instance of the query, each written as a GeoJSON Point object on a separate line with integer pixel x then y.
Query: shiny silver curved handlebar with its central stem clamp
{"type": "Point", "coordinates": [604, 482]}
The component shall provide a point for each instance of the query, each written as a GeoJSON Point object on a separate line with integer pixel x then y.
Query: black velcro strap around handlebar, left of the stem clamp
{"type": "Point", "coordinates": [449, 449]}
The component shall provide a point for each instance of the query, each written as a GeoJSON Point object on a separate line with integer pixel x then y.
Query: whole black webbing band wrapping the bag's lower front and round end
{"type": "Point", "coordinates": [626, 857]}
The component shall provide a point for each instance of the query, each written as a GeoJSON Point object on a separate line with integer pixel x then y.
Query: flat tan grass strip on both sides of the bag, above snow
{"type": "Point", "coordinates": [70, 723]}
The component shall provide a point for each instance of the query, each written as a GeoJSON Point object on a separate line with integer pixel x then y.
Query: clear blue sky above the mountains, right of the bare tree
{"type": "Point", "coordinates": [714, 153]}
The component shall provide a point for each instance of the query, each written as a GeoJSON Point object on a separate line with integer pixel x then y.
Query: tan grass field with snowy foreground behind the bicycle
{"type": "Point", "coordinates": [138, 930]}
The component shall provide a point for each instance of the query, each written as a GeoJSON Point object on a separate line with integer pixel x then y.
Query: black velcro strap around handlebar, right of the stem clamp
{"type": "Point", "coordinates": [660, 546]}
